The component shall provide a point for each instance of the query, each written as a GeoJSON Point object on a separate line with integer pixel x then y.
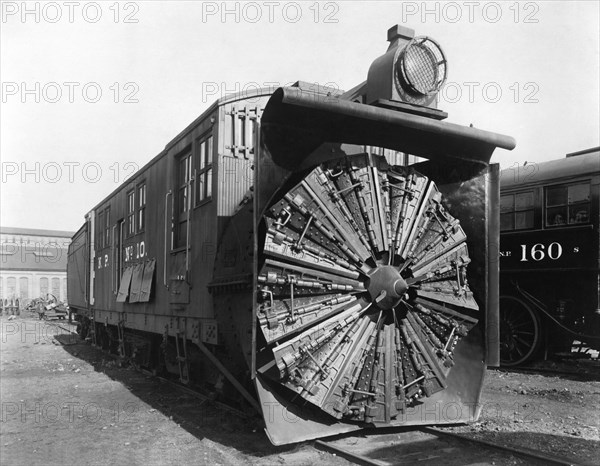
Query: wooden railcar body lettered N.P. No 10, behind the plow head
{"type": "Point", "coordinates": [174, 299]}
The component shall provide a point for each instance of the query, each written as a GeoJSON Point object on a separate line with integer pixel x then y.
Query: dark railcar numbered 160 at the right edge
{"type": "Point", "coordinates": [550, 257]}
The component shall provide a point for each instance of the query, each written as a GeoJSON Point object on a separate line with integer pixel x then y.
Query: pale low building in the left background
{"type": "Point", "coordinates": [33, 263]}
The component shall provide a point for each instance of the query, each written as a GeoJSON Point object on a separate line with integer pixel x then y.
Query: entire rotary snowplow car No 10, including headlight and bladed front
{"type": "Point", "coordinates": [286, 250]}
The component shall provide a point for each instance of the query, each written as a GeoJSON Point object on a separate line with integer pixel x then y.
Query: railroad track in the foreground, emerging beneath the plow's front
{"type": "Point", "coordinates": [429, 446]}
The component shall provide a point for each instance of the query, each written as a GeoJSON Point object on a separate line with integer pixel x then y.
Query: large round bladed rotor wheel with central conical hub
{"type": "Point", "coordinates": [363, 291]}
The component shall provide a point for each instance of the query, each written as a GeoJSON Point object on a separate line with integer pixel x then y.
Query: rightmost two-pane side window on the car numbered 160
{"type": "Point", "coordinates": [567, 204]}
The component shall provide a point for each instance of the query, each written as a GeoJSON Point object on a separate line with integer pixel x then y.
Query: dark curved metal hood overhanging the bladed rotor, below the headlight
{"type": "Point", "coordinates": [296, 122]}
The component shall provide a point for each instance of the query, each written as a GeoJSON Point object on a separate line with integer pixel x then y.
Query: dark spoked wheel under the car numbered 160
{"type": "Point", "coordinates": [520, 332]}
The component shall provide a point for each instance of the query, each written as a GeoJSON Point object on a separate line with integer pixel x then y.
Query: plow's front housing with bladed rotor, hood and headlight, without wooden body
{"type": "Point", "coordinates": [375, 299]}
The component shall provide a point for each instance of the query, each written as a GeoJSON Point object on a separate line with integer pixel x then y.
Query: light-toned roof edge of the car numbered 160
{"type": "Point", "coordinates": [551, 171]}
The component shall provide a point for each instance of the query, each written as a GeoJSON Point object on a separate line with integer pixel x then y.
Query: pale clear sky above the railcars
{"type": "Point", "coordinates": [91, 91]}
